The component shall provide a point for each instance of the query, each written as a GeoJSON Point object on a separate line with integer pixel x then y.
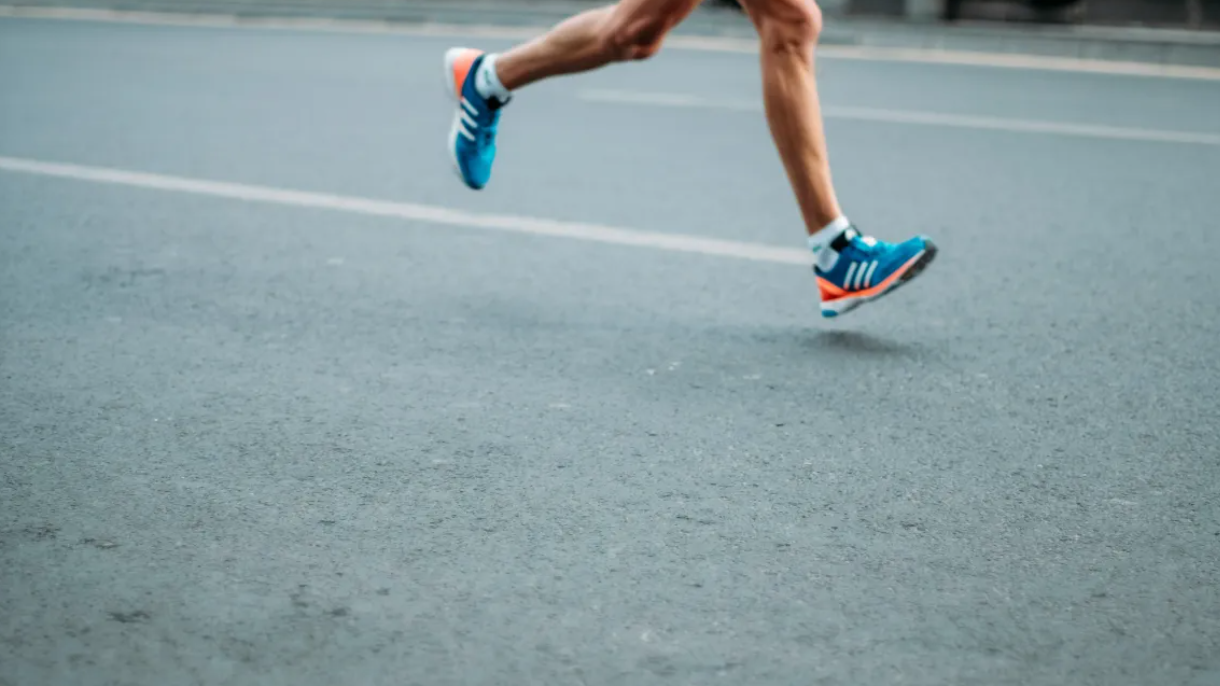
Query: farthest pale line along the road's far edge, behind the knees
{"type": "Point", "coordinates": [716, 45]}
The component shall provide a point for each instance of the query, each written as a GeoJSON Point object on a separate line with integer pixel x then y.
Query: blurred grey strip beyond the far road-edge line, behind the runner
{"type": "Point", "coordinates": [1179, 32]}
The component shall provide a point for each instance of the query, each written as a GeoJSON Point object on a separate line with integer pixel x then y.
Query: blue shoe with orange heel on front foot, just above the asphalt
{"type": "Point", "coordinates": [868, 269]}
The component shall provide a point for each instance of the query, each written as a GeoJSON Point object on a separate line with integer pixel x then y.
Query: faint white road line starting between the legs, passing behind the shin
{"type": "Point", "coordinates": [914, 118]}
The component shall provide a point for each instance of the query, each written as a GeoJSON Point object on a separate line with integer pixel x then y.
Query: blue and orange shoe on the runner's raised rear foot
{"type": "Point", "coordinates": [473, 137]}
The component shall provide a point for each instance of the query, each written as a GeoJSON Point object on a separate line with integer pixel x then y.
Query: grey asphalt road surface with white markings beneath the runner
{"type": "Point", "coordinates": [258, 438]}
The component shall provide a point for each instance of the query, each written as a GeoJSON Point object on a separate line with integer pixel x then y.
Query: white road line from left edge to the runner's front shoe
{"type": "Point", "coordinates": [411, 212]}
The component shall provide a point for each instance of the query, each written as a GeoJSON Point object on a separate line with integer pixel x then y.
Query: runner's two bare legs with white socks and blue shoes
{"type": "Point", "coordinates": [851, 269]}
